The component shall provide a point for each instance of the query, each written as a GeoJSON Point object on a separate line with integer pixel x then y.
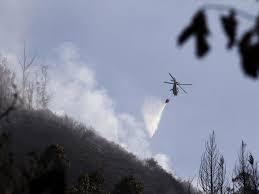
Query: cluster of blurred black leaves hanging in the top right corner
{"type": "Point", "coordinates": [248, 44]}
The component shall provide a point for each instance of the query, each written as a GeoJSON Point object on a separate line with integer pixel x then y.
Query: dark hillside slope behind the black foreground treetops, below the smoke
{"type": "Point", "coordinates": [33, 131]}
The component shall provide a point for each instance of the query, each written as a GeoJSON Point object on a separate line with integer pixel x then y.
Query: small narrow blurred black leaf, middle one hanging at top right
{"type": "Point", "coordinates": [229, 24]}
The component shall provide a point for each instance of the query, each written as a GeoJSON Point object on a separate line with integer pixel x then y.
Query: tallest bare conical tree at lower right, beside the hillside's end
{"type": "Point", "coordinates": [212, 169]}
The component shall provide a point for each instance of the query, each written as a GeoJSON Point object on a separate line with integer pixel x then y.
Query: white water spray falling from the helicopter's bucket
{"type": "Point", "coordinates": [152, 112]}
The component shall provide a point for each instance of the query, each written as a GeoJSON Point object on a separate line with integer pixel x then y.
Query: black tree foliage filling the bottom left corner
{"type": "Point", "coordinates": [42, 173]}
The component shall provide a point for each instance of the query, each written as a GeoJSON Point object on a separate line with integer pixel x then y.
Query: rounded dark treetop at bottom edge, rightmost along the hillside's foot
{"type": "Point", "coordinates": [128, 185]}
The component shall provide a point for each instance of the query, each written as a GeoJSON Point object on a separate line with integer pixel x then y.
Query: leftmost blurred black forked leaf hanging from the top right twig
{"type": "Point", "coordinates": [197, 28]}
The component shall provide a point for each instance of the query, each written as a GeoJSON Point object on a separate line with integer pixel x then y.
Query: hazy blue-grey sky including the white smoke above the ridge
{"type": "Point", "coordinates": [107, 59]}
